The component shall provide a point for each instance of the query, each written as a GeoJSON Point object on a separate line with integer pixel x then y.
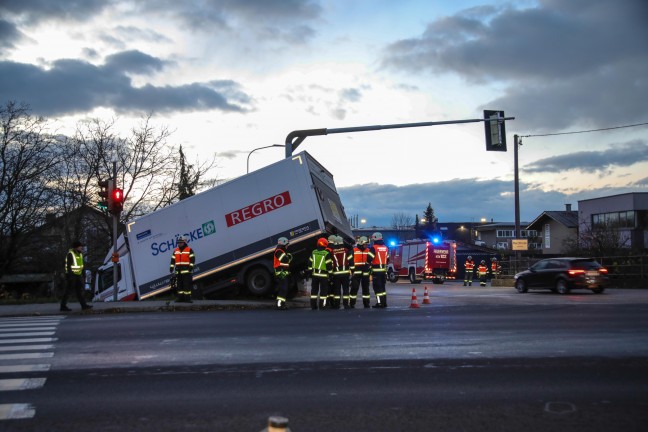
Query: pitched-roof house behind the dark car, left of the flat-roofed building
{"type": "Point", "coordinates": [554, 228]}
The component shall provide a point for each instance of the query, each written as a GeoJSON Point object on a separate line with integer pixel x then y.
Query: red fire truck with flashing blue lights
{"type": "Point", "coordinates": [420, 260]}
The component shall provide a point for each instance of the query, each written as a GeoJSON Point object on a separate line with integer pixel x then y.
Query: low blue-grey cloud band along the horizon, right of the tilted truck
{"type": "Point", "coordinates": [462, 200]}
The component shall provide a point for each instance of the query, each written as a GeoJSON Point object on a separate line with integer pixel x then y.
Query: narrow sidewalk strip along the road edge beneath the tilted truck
{"type": "Point", "coordinates": [40, 309]}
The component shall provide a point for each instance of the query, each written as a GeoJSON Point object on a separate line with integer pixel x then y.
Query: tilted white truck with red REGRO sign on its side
{"type": "Point", "coordinates": [233, 229]}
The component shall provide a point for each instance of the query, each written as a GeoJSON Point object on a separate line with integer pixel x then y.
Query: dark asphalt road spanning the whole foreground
{"type": "Point", "coordinates": [483, 360]}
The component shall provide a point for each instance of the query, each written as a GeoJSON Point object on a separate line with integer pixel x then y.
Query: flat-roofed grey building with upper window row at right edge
{"type": "Point", "coordinates": [626, 213]}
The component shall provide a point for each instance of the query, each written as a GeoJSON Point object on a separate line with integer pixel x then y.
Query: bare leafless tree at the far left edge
{"type": "Point", "coordinates": [27, 160]}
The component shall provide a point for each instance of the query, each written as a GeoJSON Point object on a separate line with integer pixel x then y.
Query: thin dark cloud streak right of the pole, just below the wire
{"type": "Point", "coordinates": [626, 154]}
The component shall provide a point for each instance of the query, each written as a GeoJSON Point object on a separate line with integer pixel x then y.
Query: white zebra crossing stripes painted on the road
{"type": "Point", "coordinates": [24, 343]}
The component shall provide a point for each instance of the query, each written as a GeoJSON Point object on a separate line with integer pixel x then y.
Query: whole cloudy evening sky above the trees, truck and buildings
{"type": "Point", "coordinates": [230, 76]}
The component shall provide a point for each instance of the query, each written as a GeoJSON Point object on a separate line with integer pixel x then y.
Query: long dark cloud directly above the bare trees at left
{"type": "Point", "coordinates": [73, 86]}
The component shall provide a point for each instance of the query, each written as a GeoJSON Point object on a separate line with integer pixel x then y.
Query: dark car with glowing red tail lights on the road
{"type": "Point", "coordinates": [562, 275]}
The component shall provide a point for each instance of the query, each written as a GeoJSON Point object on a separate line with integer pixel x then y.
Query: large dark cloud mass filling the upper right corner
{"type": "Point", "coordinates": [564, 62]}
